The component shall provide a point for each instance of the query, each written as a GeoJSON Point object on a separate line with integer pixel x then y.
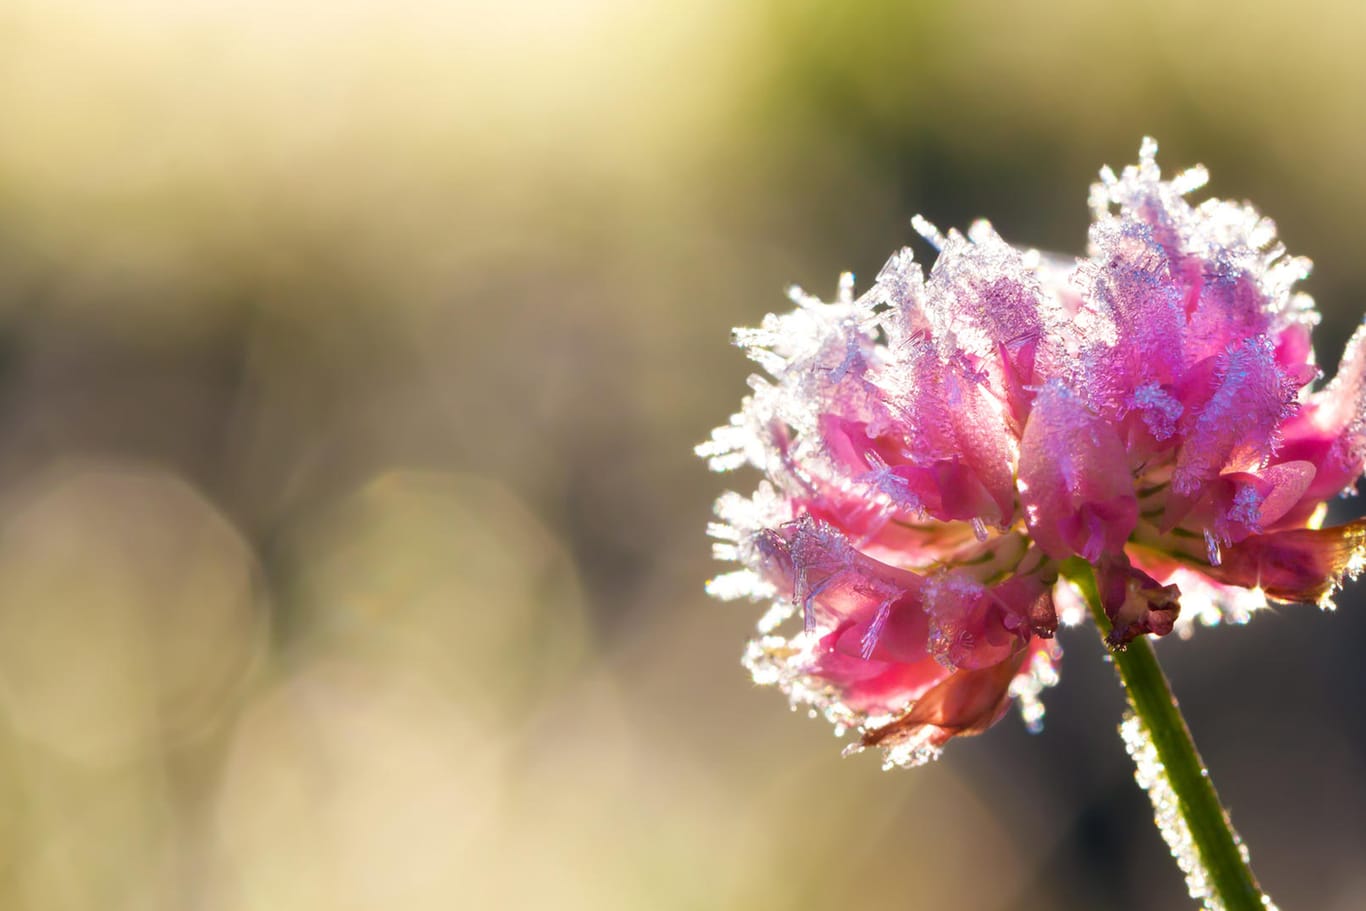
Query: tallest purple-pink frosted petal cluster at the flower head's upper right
{"type": "Point", "coordinates": [1205, 323]}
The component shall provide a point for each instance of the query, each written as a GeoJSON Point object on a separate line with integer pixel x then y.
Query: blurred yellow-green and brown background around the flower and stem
{"type": "Point", "coordinates": [352, 357]}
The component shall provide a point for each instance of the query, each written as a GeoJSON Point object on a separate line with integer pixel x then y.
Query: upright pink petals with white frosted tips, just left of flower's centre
{"type": "Point", "coordinates": [960, 369]}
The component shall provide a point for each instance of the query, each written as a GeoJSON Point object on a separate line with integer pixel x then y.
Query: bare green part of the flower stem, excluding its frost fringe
{"type": "Point", "coordinates": [1231, 884]}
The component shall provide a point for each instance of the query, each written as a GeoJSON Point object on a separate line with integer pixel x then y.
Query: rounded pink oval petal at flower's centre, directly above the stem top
{"type": "Point", "coordinates": [1074, 479]}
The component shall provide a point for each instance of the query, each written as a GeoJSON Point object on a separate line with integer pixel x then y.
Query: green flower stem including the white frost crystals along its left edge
{"type": "Point", "coordinates": [1188, 809]}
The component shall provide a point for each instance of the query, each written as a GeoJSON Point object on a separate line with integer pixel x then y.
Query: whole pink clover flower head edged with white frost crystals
{"type": "Point", "coordinates": [935, 450]}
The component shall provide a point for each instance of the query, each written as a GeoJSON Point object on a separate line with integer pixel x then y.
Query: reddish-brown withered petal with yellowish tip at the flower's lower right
{"type": "Point", "coordinates": [1302, 565]}
